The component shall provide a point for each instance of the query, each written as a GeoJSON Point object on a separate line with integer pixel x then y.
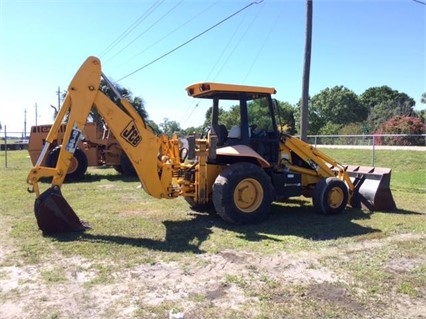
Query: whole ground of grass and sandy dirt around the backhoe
{"type": "Point", "coordinates": [146, 257]}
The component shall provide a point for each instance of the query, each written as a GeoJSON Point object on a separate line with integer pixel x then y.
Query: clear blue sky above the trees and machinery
{"type": "Point", "coordinates": [358, 44]}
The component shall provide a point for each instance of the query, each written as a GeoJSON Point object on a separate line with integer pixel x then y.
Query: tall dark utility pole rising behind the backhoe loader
{"type": "Point", "coordinates": [306, 73]}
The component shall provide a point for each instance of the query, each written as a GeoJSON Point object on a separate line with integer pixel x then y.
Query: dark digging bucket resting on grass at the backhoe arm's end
{"type": "Point", "coordinates": [55, 215]}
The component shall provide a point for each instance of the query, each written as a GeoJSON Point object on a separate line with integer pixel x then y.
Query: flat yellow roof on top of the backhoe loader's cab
{"type": "Point", "coordinates": [210, 90]}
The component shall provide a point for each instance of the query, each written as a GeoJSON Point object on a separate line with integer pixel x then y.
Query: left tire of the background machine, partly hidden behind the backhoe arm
{"type": "Point", "coordinates": [78, 165]}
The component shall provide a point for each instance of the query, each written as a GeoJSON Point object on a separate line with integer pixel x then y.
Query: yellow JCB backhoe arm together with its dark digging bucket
{"type": "Point", "coordinates": [152, 157]}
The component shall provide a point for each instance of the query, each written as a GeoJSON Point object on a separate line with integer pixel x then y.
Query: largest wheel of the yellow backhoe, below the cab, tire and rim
{"type": "Point", "coordinates": [242, 194]}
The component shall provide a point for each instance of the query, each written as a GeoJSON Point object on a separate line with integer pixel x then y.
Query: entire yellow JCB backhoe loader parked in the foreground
{"type": "Point", "coordinates": [239, 171]}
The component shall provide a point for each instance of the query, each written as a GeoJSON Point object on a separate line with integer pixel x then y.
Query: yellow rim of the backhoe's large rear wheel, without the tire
{"type": "Point", "coordinates": [248, 195]}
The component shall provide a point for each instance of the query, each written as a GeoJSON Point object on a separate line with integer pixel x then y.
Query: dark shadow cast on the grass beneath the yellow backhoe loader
{"type": "Point", "coordinates": [300, 221]}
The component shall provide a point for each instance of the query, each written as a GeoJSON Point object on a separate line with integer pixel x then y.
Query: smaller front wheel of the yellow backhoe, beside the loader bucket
{"type": "Point", "coordinates": [330, 196]}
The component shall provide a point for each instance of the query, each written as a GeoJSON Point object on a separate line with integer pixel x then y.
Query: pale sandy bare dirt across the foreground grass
{"type": "Point", "coordinates": [229, 280]}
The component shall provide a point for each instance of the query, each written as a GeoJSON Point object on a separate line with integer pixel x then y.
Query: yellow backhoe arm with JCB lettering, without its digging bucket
{"type": "Point", "coordinates": [140, 144]}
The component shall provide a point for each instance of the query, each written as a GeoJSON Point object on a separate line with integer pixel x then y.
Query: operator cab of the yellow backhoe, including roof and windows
{"type": "Point", "coordinates": [254, 124]}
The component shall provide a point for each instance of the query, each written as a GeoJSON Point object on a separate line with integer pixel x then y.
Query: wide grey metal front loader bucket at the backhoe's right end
{"type": "Point", "coordinates": [374, 192]}
